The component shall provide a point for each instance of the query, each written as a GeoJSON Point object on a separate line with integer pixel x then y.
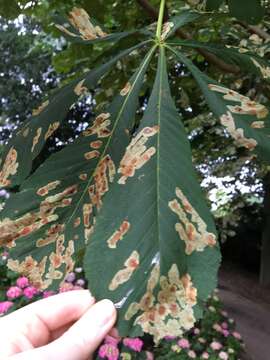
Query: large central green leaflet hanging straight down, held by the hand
{"type": "Point", "coordinates": [140, 243]}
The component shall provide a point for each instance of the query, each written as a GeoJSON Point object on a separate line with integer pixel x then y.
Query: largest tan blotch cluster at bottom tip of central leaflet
{"type": "Point", "coordinates": [168, 311]}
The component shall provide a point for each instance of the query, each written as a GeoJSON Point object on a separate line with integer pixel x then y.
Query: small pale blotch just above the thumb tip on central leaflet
{"type": "Point", "coordinates": [124, 275]}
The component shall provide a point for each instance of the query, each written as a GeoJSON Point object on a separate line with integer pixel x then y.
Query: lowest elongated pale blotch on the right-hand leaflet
{"type": "Point", "coordinates": [227, 120]}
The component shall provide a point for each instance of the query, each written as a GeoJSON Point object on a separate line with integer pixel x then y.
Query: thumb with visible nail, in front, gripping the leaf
{"type": "Point", "coordinates": [81, 340]}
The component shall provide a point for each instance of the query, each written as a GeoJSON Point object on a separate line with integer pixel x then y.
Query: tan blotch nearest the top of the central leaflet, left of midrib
{"type": "Point", "coordinates": [137, 154]}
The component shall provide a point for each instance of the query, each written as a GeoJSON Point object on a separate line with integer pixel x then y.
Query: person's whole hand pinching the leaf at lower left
{"type": "Point", "coordinates": [67, 326]}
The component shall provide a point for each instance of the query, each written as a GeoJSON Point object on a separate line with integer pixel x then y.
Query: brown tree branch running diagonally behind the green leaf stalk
{"type": "Point", "coordinates": [211, 58]}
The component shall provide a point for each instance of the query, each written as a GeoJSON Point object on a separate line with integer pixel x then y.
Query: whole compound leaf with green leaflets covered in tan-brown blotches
{"type": "Point", "coordinates": [125, 191]}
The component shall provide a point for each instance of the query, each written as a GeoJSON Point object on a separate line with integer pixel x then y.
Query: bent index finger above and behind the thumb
{"type": "Point", "coordinates": [34, 323]}
